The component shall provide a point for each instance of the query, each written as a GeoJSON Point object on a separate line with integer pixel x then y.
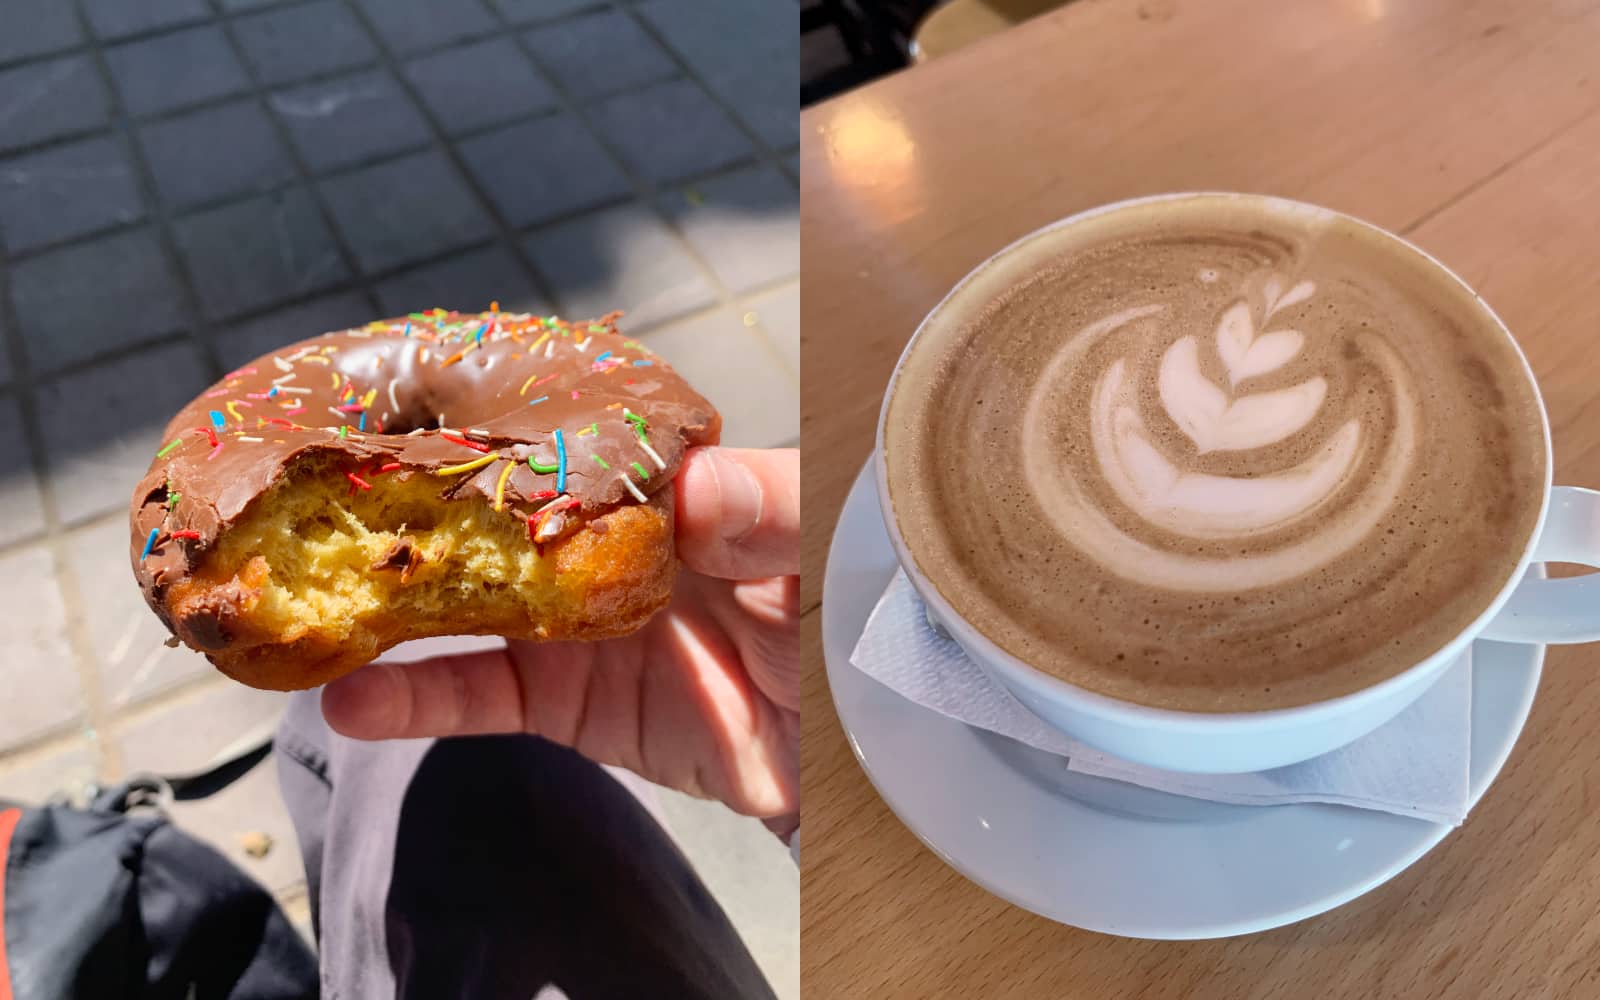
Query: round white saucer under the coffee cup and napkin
{"type": "Point", "coordinates": [1103, 855]}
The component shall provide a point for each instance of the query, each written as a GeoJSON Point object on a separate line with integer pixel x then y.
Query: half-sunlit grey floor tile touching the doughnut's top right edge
{"type": "Point", "coordinates": [623, 258]}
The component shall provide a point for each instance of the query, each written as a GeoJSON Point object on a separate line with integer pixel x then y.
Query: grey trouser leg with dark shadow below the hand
{"type": "Point", "coordinates": [494, 866]}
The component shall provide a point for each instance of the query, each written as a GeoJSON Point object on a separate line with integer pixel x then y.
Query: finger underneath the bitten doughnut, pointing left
{"type": "Point", "coordinates": [442, 697]}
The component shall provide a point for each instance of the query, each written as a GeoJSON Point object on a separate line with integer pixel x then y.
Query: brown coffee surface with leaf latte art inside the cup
{"type": "Point", "coordinates": [1217, 455]}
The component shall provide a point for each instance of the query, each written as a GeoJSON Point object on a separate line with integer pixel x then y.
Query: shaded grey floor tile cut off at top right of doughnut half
{"type": "Point", "coordinates": [754, 66]}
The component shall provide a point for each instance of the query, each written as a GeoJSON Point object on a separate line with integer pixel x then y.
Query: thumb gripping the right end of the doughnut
{"type": "Point", "coordinates": [740, 513]}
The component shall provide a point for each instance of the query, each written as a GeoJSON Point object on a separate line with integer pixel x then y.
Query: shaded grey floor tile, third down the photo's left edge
{"type": "Point", "coordinates": [66, 191]}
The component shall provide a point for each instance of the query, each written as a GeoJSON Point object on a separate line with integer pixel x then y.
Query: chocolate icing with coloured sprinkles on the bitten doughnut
{"type": "Point", "coordinates": [404, 398]}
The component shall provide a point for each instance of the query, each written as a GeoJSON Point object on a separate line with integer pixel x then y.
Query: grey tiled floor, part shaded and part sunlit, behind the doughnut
{"type": "Point", "coordinates": [190, 183]}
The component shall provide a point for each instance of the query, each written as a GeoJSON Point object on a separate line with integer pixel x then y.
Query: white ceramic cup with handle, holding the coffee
{"type": "Point", "coordinates": [1526, 610]}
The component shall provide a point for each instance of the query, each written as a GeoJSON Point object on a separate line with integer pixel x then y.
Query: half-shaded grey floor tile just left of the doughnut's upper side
{"type": "Point", "coordinates": [105, 425]}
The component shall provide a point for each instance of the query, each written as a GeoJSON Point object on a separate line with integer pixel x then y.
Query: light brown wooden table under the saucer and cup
{"type": "Point", "coordinates": [1473, 129]}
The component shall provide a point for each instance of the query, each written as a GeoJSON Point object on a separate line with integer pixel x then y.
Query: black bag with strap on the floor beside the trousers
{"type": "Point", "coordinates": [114, 902]}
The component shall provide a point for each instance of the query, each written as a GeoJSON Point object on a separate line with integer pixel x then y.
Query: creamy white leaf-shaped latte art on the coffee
{"type": "Point", "coordinates": [1172, 495]}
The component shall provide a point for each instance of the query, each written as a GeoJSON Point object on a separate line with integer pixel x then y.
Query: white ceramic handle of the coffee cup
{"type": "Point", "coordinates": [1559, 610]}
